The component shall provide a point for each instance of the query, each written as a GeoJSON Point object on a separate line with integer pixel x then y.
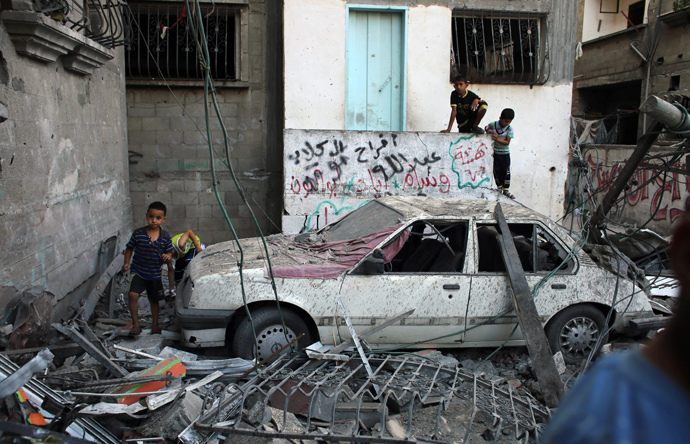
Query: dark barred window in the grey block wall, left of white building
{"type": "Point", "coordinates": [161, 44]}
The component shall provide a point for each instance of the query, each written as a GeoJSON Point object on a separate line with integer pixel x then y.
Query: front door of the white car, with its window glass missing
{"type": "Point", "coordinates": [428, 275]}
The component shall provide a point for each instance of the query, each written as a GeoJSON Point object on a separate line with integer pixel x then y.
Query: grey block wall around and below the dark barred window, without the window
{"type": "Point", "coordinates": [174, 165]}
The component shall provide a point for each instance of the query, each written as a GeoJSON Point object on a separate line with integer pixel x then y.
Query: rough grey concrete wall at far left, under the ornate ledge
{"type": "Point", "coordinates": [63, 174]}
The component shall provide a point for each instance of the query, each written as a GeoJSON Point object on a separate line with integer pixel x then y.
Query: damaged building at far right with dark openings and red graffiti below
{"type": "Point", "coordinates": [629, 51]}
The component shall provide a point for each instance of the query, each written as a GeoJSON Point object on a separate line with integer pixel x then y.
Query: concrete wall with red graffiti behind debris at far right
{"type": "Point", "coordinates": [658, 204]}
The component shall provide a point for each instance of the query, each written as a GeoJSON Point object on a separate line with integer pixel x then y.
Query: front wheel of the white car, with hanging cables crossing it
{"type": "Point", "coordinates": [269, 332]}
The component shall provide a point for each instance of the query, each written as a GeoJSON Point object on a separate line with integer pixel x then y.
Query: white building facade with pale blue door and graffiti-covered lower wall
{"type": "Point", "coordinates": [360, 72]}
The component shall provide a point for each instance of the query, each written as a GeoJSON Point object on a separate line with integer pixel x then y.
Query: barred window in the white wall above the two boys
{"type": "Point", "coordinates": [491, 48]}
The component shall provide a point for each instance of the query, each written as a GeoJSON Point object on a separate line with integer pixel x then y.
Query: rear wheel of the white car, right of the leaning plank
{"type": "Point", "coordinates": [575, 332]}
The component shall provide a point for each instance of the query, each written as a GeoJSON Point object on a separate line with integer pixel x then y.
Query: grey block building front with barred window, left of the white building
{"type": "Point", "coordinates": [169, 153]}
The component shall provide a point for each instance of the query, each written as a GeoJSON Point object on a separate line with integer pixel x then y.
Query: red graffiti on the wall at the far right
{"type": "Point", "coordinates": [651, 195]}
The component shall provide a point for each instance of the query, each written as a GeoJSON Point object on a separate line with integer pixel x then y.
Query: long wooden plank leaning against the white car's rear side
{"type": "Point", "coordinates": [528, 317]}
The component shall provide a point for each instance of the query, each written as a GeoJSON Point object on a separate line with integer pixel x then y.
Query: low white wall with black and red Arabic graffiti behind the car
{"type": "Point", "coordinates": [328, 174]}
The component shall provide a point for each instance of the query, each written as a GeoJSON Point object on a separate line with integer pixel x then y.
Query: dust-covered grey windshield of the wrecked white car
{"type": "Point", "coordinates": [370, 218]}
